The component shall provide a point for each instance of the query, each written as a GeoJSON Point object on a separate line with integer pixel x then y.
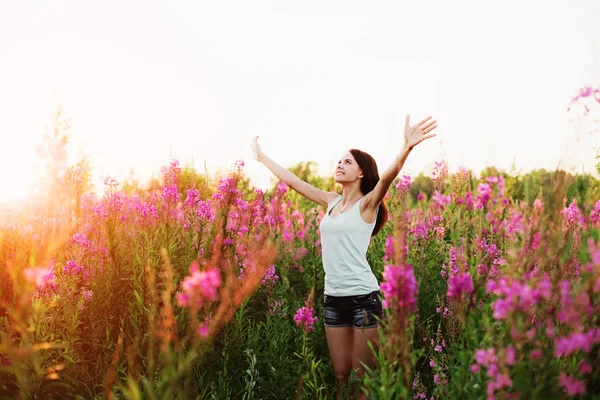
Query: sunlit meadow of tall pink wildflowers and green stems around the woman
{"type": "Point", "coordinates": [194, 287]}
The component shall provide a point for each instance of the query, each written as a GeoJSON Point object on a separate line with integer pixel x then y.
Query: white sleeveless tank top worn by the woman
{"type": "Point", "coordinates": [345, 239]}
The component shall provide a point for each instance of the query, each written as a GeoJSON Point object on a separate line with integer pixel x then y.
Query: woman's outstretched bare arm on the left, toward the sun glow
{"type": "Point", "coordinates": [304, 188]}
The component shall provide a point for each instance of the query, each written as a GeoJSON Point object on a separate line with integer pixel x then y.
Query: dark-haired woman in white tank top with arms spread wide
{"type": "Point", "coordinates": [352, 298]}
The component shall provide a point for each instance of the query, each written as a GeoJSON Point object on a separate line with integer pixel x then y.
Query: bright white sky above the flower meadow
{"type": "Point", "coordinates": [199, 80]}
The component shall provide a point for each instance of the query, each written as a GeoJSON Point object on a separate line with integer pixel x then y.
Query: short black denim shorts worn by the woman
{"type": "Point", "coordinates": [362, 311]}
